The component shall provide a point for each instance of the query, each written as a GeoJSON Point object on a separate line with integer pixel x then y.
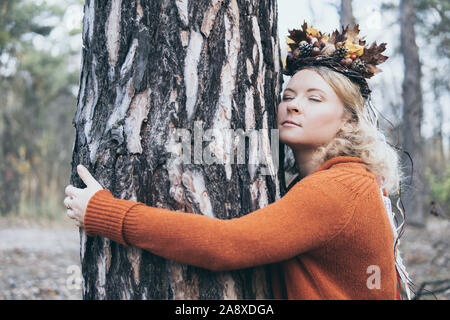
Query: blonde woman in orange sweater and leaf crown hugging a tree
{"type": "Point", "coordinates": [328, 237]}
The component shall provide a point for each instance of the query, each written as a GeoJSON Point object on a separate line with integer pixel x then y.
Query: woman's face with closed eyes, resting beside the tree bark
{"type": "Point", "coordinates": [314, 108]}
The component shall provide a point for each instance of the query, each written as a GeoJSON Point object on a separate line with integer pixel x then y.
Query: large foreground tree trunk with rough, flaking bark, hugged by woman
{"type": "Point", "coordinates": [148, 68]}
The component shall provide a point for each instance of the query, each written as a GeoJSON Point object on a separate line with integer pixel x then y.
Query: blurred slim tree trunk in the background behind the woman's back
{"type": "Point", "coordinates": [414, 193]}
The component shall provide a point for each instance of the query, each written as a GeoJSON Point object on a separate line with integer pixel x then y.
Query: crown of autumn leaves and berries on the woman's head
{"type": "Point", "coordinates": [344, 52]}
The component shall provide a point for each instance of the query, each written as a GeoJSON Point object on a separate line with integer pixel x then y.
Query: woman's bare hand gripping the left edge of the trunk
{"type": "Point", "coordinates": [77, 199]}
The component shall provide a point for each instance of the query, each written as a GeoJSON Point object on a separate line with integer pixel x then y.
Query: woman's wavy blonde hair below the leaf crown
{"type": "Point", "coordinates": [360, 137]}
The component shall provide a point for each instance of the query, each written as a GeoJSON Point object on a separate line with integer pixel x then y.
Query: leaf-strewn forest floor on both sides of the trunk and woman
{"type": "Point", "coordinates": [41, 260]}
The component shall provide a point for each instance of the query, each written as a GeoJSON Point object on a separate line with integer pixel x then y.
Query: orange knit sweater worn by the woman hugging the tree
{"type": "Point", "coordinates": [326, 238]}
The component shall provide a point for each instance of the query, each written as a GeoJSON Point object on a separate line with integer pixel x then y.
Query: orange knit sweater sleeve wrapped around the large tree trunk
{"type": "Point", "coordinates": [309, 215]}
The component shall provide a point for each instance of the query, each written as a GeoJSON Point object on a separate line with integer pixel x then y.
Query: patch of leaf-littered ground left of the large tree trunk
{"type": "Point", "coordinates": [38, 261]}
